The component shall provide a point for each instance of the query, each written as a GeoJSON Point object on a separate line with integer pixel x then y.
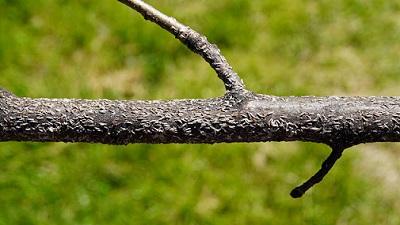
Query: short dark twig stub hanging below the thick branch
{"type": "Point", "coordinates": [319, 175]}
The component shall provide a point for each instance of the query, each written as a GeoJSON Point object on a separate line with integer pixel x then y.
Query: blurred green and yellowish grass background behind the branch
{"type": "Point", "coordinates": [102, 49]}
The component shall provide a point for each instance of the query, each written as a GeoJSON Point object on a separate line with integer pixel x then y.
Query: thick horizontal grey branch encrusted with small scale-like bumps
{"type": "Point", "coordinates": [233, 118]}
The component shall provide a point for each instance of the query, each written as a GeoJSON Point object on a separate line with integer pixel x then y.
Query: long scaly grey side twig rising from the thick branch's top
{"type": "Point", "coordinates": [194, 41]}
